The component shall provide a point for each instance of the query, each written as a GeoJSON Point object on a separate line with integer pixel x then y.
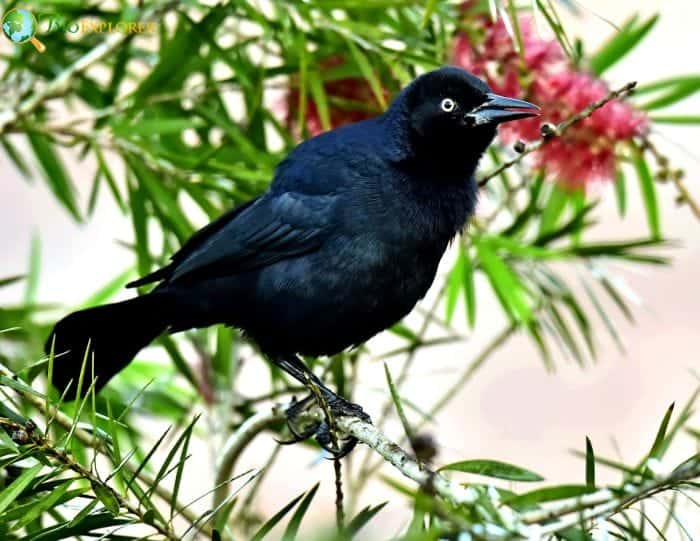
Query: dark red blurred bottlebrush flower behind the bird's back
{"type": "Point", "coordinates": [350, 99]}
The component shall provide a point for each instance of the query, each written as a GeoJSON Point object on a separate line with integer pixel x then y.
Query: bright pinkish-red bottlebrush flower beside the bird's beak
{"type": "Point", "coordinates": [586, 152]}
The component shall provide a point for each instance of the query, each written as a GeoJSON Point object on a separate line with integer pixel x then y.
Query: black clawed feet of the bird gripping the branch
{"type": "Point", "coordinates": [334, 406]}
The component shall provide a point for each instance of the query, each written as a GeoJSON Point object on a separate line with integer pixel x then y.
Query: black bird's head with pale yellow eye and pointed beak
{"type": "Point", "coordinates": [452, 115]}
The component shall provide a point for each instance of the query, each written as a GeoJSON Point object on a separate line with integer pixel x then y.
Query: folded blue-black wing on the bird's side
{"type": "Point", "coordinates": [269, 230]}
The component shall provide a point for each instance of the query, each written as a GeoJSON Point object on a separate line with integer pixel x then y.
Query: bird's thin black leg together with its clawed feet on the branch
{"type": "Point", "coordinates": [331, 403]}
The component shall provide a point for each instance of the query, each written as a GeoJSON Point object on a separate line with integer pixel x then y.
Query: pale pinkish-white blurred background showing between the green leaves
{"type": "Point", "coordinates": [513, 410]}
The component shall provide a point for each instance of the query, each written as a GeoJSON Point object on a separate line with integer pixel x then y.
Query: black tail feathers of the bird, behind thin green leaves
{"type": "Point", "coordinates": [116, 333]}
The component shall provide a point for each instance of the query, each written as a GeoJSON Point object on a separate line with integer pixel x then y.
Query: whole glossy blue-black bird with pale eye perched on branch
{"type": "Point", "coordinates": [342, 245]}
